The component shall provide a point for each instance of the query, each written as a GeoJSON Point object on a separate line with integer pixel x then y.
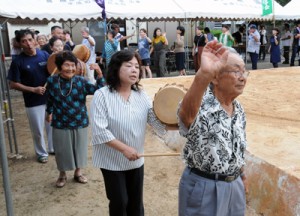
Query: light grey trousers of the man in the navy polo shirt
{"type": "Point", "coordinates": [37, 122]}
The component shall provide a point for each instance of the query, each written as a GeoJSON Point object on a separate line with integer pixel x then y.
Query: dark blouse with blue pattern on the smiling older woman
{"type": "Point", "coordinates": [67, 101]}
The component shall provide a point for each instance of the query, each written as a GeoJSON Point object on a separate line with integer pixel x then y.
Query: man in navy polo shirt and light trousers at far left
{"type": "Point", "coordinates": [28, 73]}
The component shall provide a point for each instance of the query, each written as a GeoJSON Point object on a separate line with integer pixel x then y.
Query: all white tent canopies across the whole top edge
{"type": "Point", "coordinates": [145, 10]}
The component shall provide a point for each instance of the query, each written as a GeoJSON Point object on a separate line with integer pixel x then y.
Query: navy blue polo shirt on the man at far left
{"type": "Point", "coordinates": [30, 71]}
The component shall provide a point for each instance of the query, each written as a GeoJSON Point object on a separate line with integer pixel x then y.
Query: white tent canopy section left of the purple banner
{"type": "Point", "coordinates": [50, 9]}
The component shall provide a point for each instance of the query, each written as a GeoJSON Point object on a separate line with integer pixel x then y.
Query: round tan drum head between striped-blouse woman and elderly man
{"type": "Point", "coordinates": [166, 102]}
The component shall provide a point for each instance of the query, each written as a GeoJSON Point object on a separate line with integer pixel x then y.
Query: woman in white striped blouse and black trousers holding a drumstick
{"type": "Point", "coordinates": [120, 113]}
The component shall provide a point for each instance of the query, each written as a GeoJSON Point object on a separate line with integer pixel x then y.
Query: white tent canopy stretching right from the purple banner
{"type": "Point", "coordinates": [202, 9]}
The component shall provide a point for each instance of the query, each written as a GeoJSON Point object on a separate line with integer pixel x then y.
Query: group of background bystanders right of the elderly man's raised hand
{"type": "Point", "coordinates": [260, 43]}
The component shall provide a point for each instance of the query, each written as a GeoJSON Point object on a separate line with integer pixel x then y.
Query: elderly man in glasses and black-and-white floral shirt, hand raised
{"type": "Point", "coordinates": [213, 183]}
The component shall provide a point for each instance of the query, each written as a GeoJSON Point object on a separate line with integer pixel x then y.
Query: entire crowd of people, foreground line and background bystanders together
{"type": "Point", "coordinates": [120, 111]}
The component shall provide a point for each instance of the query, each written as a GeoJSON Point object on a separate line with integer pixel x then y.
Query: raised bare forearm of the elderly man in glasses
{"type": "Point", "coordinates": [193, 98]}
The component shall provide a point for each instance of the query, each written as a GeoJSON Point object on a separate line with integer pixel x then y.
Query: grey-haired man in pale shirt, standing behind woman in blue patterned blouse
{"type": "Point", "coordinates": [90, 42]}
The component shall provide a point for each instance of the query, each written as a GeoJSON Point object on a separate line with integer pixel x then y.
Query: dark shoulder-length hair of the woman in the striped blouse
{"type": "Point", "coordinates": [113, 75]}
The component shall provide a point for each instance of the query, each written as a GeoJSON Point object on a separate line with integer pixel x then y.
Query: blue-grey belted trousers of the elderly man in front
{"type": "Point", "coordinates": [200, 196]}
